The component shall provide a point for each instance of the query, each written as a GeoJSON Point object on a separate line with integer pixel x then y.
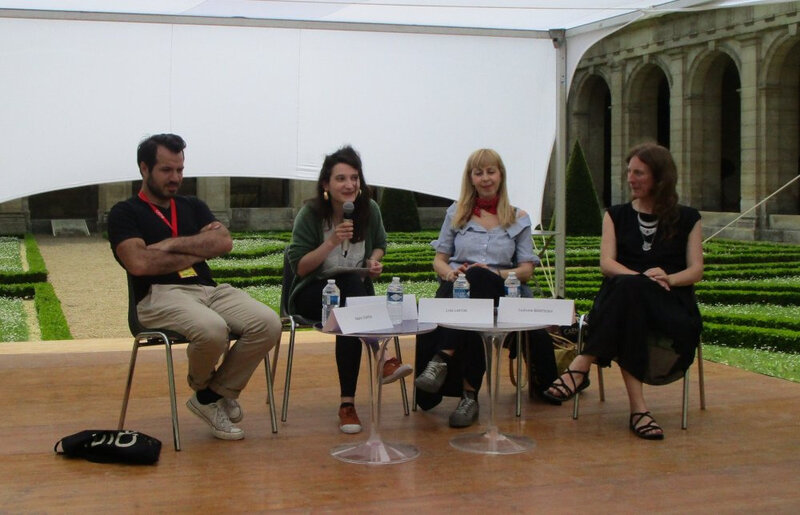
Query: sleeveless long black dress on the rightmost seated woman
{"type": "Point", "coordinates": [650, 332]}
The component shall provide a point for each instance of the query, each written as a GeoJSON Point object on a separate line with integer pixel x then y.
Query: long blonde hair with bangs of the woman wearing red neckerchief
{"type": "Point", "coordinates": [483, 158]}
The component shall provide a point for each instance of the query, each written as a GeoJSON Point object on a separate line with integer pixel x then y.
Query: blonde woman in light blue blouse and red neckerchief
{"type": "Point", "coordinates": [484, 237]}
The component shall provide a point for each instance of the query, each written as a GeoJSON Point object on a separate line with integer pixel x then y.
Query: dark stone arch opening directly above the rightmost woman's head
{"type": "Point", "coordinates": [647, 104]}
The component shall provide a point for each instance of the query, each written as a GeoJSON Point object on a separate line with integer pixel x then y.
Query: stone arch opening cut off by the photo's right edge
{"type": "Point", "coordinates": [781, 89]}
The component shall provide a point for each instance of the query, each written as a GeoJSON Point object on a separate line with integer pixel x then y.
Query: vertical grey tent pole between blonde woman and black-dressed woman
{"type": "Point", "coordinates": [560, 42]}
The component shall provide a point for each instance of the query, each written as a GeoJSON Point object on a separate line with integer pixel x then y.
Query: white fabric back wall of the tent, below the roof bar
{"type": "Point", "coordinates": [77, 96]}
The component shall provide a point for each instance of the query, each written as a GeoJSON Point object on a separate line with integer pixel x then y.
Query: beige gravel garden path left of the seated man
{"type": "Point", "coordinates": [90, 284]}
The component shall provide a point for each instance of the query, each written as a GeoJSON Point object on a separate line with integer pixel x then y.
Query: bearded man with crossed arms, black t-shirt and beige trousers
{"type": "Point", "coordinates": [163, 240]}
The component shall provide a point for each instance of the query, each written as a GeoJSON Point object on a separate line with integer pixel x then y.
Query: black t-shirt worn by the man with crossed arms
{"type": "Point", "coordinates": [133, 218]}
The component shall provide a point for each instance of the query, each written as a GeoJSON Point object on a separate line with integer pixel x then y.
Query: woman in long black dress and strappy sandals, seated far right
{"type": "Point", "coordinates": [651, 255]}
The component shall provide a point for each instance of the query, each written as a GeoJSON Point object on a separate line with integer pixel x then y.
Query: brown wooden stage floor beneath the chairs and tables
{"type": "Point", "coordinates": [740, 455]}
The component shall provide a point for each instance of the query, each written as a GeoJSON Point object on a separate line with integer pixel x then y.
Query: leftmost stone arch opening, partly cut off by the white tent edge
{"type": "Point", "coordinates": [590, 118]}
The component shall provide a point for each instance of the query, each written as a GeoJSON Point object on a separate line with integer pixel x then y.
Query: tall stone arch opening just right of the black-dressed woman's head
{"type": "Point", "coordinates": [714, 143]}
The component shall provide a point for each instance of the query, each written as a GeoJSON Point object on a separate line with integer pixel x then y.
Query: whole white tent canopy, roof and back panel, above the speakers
{"type": "Point", "coordinates": [265, 89]}
